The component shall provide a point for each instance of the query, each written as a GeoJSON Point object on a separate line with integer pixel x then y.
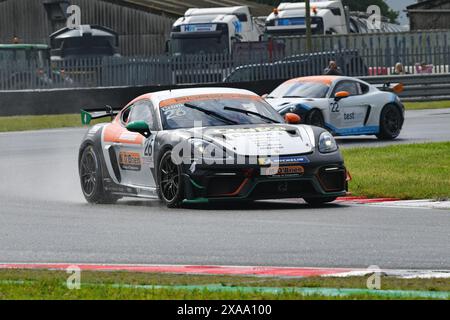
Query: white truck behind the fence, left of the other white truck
{"type": "Point", "coordinates": [213, 30]}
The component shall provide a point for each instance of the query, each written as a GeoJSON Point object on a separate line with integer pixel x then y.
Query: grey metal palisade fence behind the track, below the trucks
{"type": "Point", "coordinates": [209, 69]}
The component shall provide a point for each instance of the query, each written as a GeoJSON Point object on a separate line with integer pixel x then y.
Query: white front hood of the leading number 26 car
{"type": "Point", "coordinates": [259, 140]}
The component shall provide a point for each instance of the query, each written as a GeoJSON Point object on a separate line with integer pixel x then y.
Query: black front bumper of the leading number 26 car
{"type": "Point", "coordinates": [324, 177]}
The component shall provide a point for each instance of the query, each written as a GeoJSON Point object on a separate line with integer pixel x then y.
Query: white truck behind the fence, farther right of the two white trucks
{"type": "Point", "coordinates": [327, 17]}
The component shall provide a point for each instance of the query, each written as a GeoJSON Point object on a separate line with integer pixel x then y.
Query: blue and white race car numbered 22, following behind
{"type": "Point", "coordinates": [345, 106]}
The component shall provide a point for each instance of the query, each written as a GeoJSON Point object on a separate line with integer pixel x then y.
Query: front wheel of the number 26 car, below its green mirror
{"type": "Point", "coordinates": [170, 181]}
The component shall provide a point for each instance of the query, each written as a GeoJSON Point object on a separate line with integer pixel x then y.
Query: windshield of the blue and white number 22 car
{"type": "Point", "coordinates": [300, 90]}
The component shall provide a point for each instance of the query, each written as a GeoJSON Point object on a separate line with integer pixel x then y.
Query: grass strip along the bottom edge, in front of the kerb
{"type": "Point", "coordinates": [34, 284]}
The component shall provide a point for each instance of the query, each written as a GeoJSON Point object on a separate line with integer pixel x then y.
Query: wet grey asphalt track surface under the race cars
{"type": "Point", "coordinates": [44, 218]}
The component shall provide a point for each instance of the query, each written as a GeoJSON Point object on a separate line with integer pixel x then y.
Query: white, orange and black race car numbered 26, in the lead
{"type": "Point", "coordinates": [207, 144]}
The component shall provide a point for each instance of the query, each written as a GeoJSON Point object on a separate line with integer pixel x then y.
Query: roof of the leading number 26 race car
{"type": "Point", "coordinates": [159, 96]}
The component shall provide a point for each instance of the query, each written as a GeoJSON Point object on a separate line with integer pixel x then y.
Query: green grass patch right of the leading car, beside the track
{"type": "Point", "coordinates": [415, 171]}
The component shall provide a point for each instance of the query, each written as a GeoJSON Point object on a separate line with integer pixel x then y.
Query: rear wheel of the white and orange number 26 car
{"type": "Point", "coordinates": [91, 178]}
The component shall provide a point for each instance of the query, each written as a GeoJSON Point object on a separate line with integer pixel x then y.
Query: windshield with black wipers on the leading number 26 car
{"type": "Point", "coordinates": [210, 112]}
